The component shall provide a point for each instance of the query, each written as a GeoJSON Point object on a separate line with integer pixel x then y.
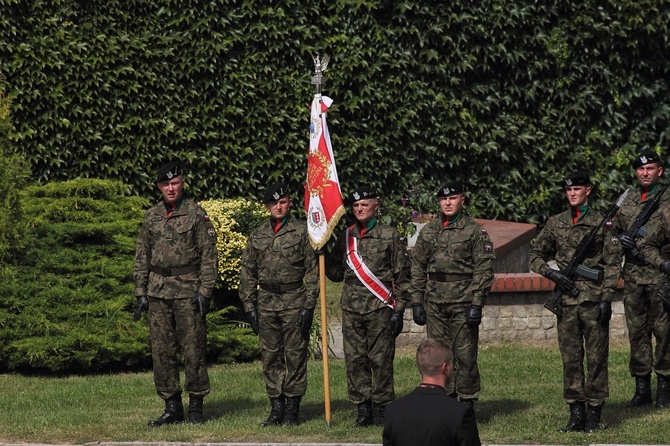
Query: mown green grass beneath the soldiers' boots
{"type": "Point", "coordinates": [520, 404]}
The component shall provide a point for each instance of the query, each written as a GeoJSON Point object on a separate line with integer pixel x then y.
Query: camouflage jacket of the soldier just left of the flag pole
{"type": "Point", "coordinates": [275, 259]}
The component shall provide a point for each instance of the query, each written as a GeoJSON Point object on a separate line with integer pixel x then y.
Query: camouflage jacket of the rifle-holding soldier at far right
{"type": "Point", "coordinates": [633, 271]}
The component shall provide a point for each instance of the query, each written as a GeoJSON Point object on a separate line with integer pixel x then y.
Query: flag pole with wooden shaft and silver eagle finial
{"type": "Point", "coordinates": [318, 80]}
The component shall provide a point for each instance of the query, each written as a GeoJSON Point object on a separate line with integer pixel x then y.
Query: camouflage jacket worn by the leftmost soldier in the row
{"type": "Point", "coordinates": [187, 238]}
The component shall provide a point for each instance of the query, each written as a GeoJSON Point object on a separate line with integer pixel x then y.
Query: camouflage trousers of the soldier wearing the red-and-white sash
{"type": "Point", "coordinates": [369, 350]}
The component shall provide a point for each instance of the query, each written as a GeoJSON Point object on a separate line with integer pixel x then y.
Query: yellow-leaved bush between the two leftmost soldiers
{"type": "Point", "coordinates": [234, 219]}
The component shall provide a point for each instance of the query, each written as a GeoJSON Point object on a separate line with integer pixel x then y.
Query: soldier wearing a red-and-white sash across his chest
{"type": "Point", "coordinates": [369, 325]}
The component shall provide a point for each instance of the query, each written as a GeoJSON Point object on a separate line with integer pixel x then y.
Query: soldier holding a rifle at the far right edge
{"type": "Point", "coordinates": [644, 308]}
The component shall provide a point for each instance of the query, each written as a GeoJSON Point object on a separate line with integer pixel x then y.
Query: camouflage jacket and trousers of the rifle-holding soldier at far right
{"type": "Point", "coordinates": [642, 304]}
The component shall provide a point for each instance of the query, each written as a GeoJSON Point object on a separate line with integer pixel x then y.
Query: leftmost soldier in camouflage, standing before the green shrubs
{"type": "Point", "coordinates": [175, 272]}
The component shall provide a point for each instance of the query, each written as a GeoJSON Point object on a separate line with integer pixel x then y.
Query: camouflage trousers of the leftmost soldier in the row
{"type": "Point", "coordinates": [175, 324]}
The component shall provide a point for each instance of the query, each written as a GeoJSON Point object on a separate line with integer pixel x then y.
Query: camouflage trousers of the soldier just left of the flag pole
{"type": "Point", "coordinates": [283, 353]}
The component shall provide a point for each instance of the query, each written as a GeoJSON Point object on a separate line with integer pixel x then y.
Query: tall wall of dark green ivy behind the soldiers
{"type": "Point", "coordinates": [506, 95]}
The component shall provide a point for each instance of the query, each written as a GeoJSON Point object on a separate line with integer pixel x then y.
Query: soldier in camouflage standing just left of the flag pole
{"type": "Point", "coordinates": [279, 284]}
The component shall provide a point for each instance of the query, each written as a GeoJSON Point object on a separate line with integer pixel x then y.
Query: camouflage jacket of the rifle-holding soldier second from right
{"type": "Point", "coordinates": [559, 240]}
